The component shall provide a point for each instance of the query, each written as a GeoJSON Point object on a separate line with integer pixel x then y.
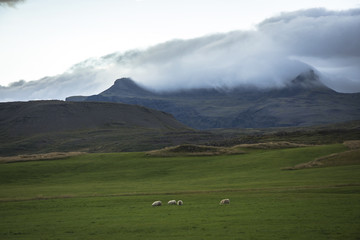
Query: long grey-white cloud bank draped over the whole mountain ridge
{"type": "Point", "coordinates": [278, 50]}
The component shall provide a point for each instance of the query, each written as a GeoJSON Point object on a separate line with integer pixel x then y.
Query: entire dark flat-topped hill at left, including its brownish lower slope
{"type": "Point", "coordinates": [46, 126]}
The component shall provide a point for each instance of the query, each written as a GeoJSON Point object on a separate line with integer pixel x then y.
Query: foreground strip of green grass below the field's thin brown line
{"type": "Point", "coordinates": [266, 215]}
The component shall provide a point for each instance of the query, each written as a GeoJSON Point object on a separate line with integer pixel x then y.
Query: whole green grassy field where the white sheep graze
{"type": "Point", "coordinates": [109, 196]}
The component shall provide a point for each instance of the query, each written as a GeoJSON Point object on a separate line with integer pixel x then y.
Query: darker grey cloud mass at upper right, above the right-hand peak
{"type": "Point", "coordinates": [327, 40]}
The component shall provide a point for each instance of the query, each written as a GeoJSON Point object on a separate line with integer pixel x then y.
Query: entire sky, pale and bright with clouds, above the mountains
{"type": "Point", "coordinates": [54, 49]}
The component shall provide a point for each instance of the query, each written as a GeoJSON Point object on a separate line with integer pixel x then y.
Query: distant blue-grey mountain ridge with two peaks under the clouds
{"type": "Point", "coordinates": [303, 101]}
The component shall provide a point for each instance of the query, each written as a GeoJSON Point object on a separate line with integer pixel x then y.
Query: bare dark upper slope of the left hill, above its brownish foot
{"type": "Point", "coordinates": [27, 118]}
